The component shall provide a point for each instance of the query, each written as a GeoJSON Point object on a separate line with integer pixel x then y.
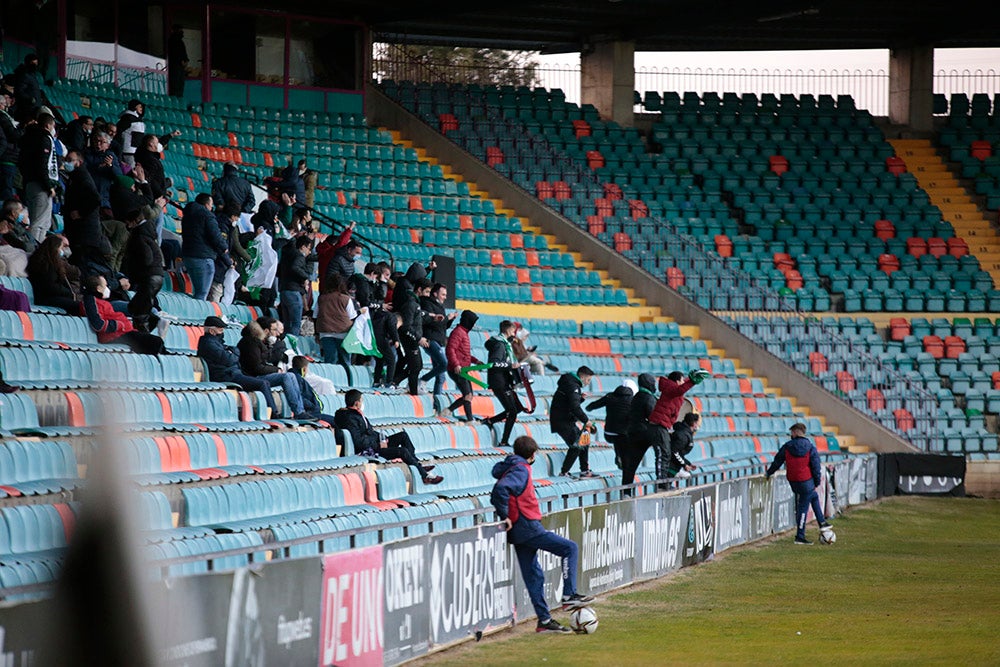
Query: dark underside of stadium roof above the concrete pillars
{"type": "Point", "coordinates": [677, 25]}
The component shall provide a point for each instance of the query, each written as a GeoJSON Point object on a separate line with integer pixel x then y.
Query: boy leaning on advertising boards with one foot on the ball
{"type": "Point", "coordinates": [517, 505]}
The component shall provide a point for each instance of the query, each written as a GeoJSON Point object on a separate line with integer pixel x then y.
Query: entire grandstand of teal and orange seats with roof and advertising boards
{"type": "Point", "coordinates": [819, 264]}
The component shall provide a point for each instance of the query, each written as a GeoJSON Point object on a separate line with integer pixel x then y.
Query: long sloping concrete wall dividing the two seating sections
{"type": "Point", "coordinates": [385, 112]}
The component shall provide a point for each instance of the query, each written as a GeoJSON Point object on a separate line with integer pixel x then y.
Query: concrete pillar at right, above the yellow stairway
{"type": "Point", "coordinates": [911, 87]}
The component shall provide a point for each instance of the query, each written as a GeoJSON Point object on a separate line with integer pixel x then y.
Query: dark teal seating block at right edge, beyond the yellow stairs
{"type": "Point", "coordinates": [972, 138]}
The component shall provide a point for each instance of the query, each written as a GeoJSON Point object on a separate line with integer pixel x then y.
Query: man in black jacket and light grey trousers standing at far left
{"type": "Point", "coordinates": [40, 172]}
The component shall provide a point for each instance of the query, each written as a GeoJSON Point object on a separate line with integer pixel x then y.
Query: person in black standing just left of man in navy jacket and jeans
{"type": "Point", "coordinates": [143, 264]}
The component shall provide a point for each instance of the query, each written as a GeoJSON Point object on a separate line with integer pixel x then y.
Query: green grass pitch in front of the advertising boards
{"type": "Point", "coordinates": [911, 580]}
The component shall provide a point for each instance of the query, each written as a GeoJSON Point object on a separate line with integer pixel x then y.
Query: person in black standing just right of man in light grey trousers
{"type": "Point", "coordinates": [82, 217]}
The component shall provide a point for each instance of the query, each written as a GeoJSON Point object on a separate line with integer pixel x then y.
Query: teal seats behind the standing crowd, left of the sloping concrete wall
{"type": "Point", "coordinates": [405, 204]}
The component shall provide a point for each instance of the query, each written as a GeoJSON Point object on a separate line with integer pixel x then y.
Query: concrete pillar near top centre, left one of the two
{"type": "Point", "coordinates": [607, 80]}
